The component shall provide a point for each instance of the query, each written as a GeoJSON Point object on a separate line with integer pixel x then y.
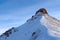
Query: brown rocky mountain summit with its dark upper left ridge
{"type": "Point", "coordinates": [41, 12]}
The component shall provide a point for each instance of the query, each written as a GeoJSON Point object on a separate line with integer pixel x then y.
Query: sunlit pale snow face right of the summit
{"type": "Point", "coordinates": [52, 24]}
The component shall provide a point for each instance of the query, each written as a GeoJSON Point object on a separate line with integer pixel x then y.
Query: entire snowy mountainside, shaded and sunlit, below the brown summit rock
{"type": "Point", "coordinates": [38, 27]}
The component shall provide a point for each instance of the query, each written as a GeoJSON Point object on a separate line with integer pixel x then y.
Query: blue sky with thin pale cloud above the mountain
{"type": "Point", "coordinates": [14, 13]}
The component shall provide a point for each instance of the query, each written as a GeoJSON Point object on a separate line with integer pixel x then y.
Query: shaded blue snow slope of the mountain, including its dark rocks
{"type": "Point", "coordinates": [33, 29]}
